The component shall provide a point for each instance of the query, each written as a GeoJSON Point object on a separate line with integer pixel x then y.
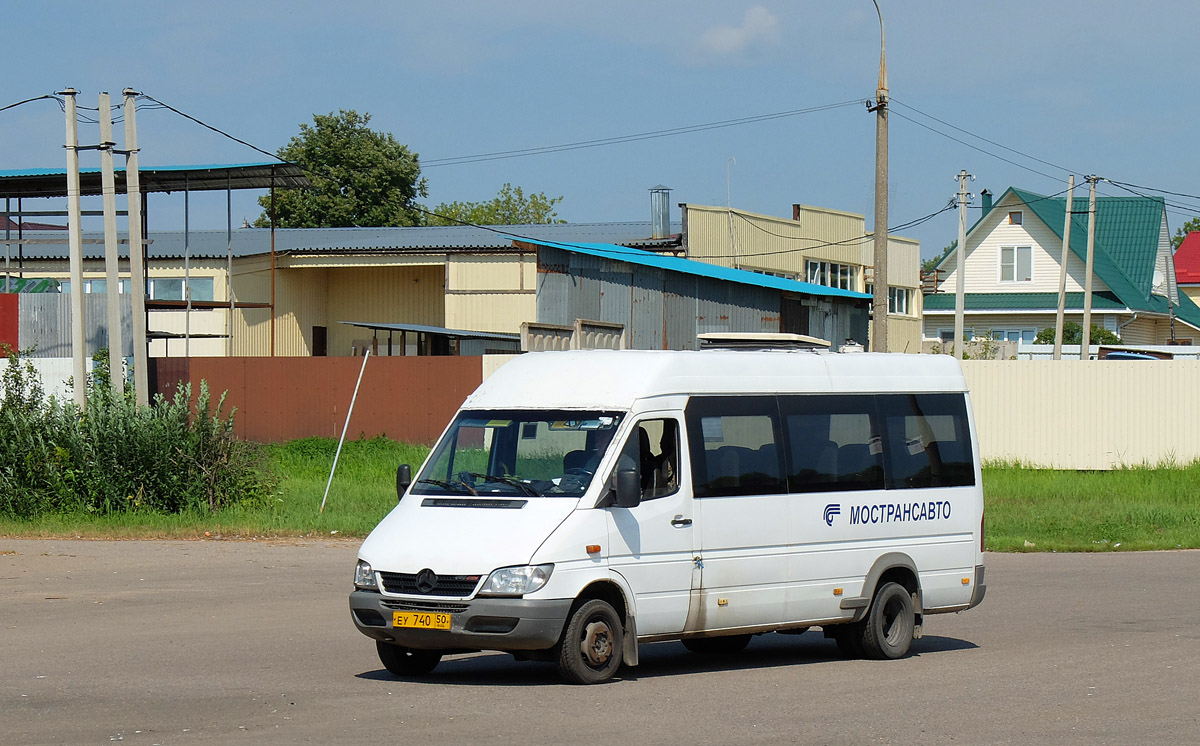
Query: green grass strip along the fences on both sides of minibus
{"type": "Point", "coordinates": [1054, 512]}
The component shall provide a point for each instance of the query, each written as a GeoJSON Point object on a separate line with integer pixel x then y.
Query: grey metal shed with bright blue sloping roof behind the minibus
{"type": "Point", "coordinates": [665, 303]}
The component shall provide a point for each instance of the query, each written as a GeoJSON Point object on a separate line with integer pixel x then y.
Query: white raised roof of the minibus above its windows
{"type": "Point", "coordinates": [615, 380]}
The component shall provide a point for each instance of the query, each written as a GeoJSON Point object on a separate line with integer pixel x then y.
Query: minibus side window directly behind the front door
{"type": "Point", "coordinates": [735, 447]}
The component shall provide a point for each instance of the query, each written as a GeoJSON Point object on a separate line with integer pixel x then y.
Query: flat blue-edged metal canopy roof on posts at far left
{"type": "Point", "coordinates": [53, 183]}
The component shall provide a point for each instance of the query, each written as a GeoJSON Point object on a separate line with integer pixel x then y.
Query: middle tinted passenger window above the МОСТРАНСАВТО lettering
{"type": "Point", "coordinates": [835, 443]}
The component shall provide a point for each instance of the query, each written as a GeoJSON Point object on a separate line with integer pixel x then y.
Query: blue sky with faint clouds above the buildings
{"type": "Point", "coordinates": [1105, 87]}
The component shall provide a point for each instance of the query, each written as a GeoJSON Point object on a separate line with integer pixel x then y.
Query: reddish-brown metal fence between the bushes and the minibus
{"type": "Point", "coordinates": [284, 399]}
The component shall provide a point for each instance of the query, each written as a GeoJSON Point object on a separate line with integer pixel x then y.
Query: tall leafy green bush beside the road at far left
{"type": "Point", "coordinates": [118, 458]}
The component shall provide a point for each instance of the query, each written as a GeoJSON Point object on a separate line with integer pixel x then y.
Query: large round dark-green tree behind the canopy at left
{"type": "Point", "coordinates": [359, 177]}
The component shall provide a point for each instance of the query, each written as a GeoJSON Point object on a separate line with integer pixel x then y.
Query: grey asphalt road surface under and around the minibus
{"type": "Point", "coordinates": [251, 643]}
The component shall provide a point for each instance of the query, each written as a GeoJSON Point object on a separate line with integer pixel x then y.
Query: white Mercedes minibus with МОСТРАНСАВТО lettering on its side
{"type": "Point", "coordinates": [585, 502]}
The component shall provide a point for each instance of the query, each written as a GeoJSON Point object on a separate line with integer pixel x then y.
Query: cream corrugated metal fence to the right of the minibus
{"type": "Point", "coordinates": [1070, 414]}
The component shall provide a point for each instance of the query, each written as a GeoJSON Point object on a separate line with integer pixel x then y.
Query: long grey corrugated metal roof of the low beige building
{"type": "Point", "coordinates": [251, 242]}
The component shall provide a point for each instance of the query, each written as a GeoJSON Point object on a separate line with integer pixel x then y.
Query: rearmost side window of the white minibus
{"type": "Point", "coordinates": [929, 442]}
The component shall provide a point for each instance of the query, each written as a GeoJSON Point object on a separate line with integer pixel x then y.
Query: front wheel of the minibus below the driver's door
{"type": "Point", "coordinates": [593, 645]}
